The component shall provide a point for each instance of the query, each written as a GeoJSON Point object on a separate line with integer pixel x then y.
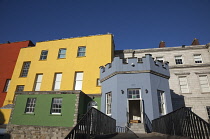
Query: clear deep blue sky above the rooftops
{"type": "Point", "coordinates": [136, 24]}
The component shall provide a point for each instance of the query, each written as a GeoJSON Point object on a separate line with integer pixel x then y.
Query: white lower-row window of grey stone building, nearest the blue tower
{"type": "Point", "coordinates": [183, 83]}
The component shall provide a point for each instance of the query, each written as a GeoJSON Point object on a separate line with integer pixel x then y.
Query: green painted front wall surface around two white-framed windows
{"type": "Point", "coordinates": [42, 116]}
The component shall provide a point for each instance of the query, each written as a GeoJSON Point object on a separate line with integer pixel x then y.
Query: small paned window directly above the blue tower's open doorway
{"type": "Point", "coordinates": [134, 93]}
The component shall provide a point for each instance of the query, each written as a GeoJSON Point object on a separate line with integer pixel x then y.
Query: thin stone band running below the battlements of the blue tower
{"type": "Point", "coordinates": [134, 72]}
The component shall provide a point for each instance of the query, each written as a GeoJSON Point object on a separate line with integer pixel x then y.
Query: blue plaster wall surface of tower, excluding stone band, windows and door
{"type": "Point", "coordinates": [123, 81]}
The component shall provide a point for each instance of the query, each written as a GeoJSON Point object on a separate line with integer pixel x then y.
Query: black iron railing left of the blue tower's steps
{"type": "Point", "coordinates": [91, 124]}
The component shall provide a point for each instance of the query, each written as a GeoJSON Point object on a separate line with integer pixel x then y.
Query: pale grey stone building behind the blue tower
{"type": "Point", "coordinates": [189, 73]}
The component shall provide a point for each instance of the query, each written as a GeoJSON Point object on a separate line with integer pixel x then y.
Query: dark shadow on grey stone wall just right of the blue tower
{"type": "Point", "coordinates": [177, 100]}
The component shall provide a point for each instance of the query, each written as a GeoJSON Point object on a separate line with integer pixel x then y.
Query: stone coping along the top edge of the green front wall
{"type": "Point", "coordinates": [47, 92]}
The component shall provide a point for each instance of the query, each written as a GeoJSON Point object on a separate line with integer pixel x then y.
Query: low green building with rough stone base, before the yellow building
{"type": "Point", "coordinates": [47, 114]}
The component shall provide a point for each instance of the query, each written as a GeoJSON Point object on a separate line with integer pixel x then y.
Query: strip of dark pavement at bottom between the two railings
{"type": "Point", "coordinates": [153, 135]}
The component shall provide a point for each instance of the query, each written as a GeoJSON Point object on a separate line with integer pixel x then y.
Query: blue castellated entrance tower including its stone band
{"type": "Point", "coordinates": [147, 75]}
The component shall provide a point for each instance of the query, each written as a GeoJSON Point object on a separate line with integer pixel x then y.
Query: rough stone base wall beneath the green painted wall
{"type": "Point", "coordinates": [37, 132]}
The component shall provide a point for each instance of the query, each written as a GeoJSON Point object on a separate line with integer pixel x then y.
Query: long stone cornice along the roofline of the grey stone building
{"type": "Point", "coordinates": [180, 48]}
